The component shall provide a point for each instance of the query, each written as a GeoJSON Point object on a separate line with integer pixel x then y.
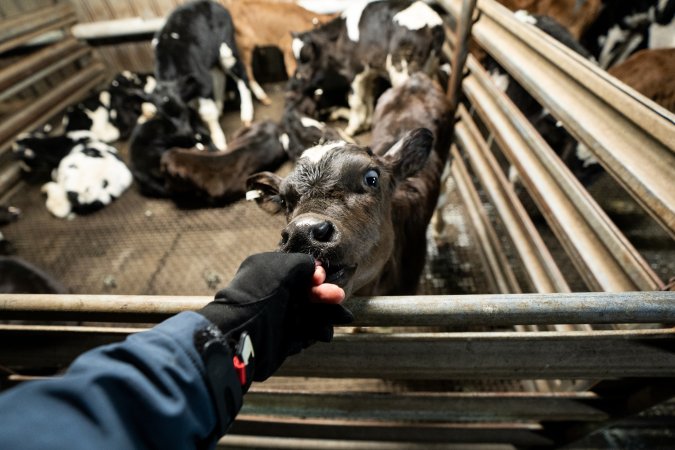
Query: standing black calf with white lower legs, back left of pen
{"type": "Point", "coordinates": [194, 50]}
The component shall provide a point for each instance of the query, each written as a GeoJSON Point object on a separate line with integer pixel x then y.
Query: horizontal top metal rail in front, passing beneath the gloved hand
{"type": "Point", "coordinates": [420, 310]}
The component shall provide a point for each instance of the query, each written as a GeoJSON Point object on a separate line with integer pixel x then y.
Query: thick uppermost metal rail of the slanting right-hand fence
{"type": "Point", "coordinates": [632, 137]}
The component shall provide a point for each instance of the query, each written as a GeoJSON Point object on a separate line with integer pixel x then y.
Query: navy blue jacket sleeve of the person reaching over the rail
{"type": "Point", "coordinates": [150, 391]}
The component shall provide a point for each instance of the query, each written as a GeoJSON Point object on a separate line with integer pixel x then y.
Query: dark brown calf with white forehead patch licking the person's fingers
{"type": "Point", "coordinates": [362, 213]}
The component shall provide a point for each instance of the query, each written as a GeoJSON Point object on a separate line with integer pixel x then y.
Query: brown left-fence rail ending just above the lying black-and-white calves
{"type": "Point", "coordinates": [50, 103]}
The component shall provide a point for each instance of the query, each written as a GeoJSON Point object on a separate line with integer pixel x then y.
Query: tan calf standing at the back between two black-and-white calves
{"type": "Point", "coordinates": [264, 23]}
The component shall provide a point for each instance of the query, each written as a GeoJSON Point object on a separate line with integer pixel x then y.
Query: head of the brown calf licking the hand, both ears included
{"type": "Point", "coordinates": [338, 205]}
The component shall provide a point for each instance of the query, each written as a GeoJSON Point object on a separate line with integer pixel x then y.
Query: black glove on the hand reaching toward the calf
{"type": "Point", "coordinates": [269, 299]}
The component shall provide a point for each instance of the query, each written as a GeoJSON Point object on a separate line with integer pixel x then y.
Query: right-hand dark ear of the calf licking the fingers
{"type": "Point", "coordinates": [410, 153]}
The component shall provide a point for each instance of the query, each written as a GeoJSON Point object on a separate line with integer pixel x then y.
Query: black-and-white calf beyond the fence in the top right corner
{"type": "Point", "coordinates": [623, 28]}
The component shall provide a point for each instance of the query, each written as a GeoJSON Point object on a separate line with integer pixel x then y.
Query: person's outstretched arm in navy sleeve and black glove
{"type": "Point", "coordinates": [173, 386]}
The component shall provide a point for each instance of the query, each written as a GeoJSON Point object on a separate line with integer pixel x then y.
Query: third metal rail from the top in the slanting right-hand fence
{"type": "Point", "coordinates": [543, 273]}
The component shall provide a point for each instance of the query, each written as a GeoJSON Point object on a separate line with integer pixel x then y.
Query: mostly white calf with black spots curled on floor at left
{"type": "Point", "coordinates": [90, 177]}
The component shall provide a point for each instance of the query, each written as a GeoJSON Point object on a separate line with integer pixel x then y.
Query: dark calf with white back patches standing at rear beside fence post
{"type": "Point", "coordinates": [389, 39]}
